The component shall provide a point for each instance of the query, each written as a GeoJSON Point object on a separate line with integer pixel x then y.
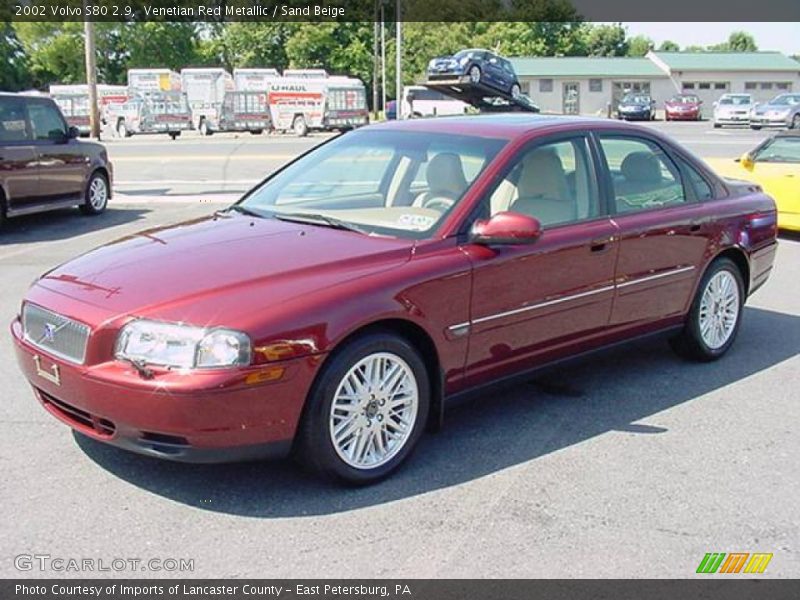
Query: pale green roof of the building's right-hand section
{"type": "Point", "coordinates": [727, 61]}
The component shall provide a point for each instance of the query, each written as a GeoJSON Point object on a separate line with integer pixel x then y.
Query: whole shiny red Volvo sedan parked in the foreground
{"type": "Point", "coordinates": [336, 307]}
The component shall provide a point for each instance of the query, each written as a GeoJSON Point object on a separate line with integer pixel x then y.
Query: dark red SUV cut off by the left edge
{"type": "Point", "coordinates": [42, 164]}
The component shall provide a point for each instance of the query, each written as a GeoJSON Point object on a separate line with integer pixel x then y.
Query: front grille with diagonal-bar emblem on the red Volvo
{"type": "Point", "coordinates": [56, 334]}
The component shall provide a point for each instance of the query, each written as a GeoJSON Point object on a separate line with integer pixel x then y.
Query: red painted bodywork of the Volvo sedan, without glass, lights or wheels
{"type": "Point", "coordinates": [323, 285]}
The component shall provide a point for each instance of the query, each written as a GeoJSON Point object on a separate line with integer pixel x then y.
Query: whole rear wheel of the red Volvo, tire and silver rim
{"type": "Point", "coordinates": [715, 315]}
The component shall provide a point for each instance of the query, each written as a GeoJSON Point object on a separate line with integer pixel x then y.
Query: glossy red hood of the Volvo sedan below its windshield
{"type": "Point", "coordinates": [186, 271]}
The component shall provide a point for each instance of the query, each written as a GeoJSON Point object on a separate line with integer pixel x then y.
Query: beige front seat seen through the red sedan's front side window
{"type": "Point", "coordinates": [542, 189]}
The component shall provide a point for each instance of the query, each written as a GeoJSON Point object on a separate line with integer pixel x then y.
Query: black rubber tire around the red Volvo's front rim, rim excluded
{"type": "Point", "coordinates": [314, 447]}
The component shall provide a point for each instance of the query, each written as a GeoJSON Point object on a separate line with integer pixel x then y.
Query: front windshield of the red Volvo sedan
{"type": "Point", "coordinates": [396, 183]}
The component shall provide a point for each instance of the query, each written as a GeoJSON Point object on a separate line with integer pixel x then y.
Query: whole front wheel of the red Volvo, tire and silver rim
{"type": "Point", "coordinates": [366, 411]}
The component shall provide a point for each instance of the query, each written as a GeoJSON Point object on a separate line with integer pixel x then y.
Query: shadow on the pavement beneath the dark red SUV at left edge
{"type": "Point", "coordinates": [64, 224]}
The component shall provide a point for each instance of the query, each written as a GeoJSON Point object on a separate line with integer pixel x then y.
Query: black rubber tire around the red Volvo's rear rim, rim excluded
{"type": "Point", "coordinates": [689, 343]}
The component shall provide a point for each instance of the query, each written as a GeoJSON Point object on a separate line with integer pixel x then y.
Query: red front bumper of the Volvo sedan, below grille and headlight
{"type": "Point", "coordinates": [214, 416]}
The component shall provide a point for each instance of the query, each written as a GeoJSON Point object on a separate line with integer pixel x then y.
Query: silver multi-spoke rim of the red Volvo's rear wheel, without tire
{"type": "Point", "coordinates": [719, 309]}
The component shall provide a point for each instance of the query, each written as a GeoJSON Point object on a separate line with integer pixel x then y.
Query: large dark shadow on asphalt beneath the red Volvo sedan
{"type": "Point", "coordinates": [508, 426]}
